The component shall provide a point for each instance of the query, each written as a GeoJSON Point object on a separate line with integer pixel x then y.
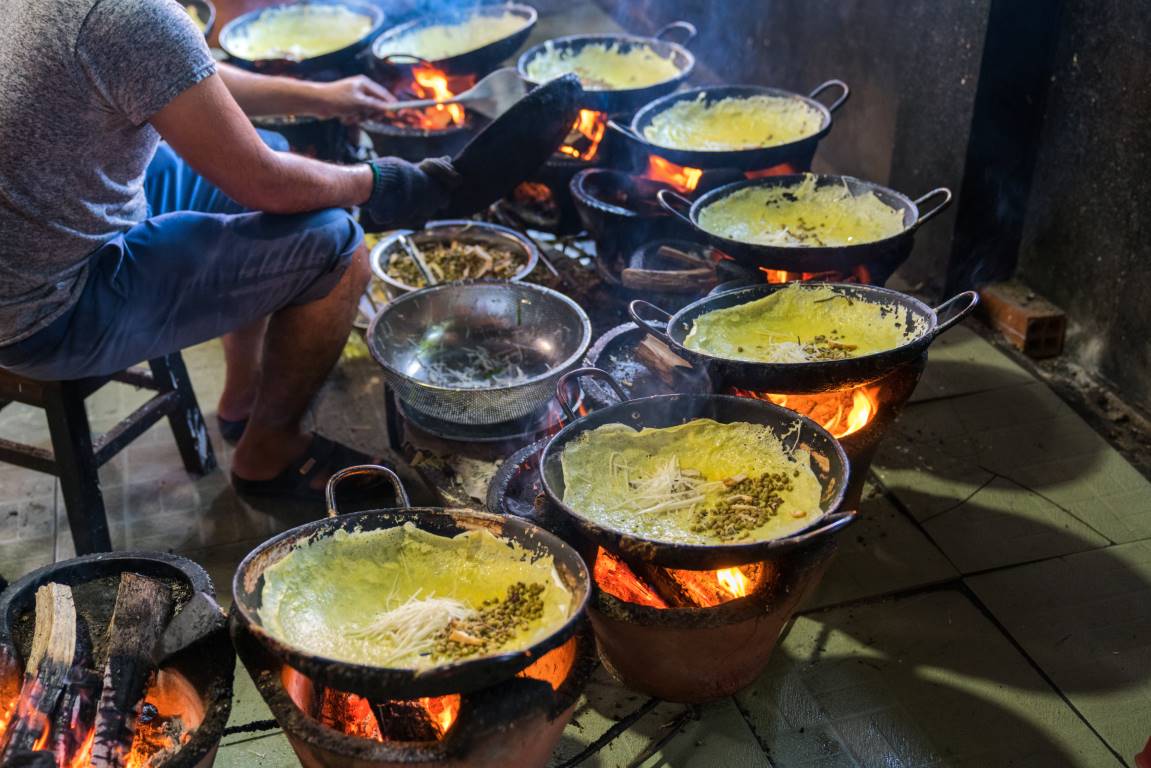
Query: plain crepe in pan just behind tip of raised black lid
{"type": "Point", "coordinates": [603, 67]}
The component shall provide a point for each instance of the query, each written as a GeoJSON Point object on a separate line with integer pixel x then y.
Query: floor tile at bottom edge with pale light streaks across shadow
{"type": "Point", "coordinates": [924, 681]}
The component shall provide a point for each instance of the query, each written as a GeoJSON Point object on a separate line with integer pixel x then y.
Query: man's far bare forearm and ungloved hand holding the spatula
{"type": "Point", "coordinates": [352, 98]}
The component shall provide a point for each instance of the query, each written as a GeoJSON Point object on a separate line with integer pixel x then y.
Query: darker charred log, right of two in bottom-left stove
{"type": "Point", "coordinates": [143, 610]}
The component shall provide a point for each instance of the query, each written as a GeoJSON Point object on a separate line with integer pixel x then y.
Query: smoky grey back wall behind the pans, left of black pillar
{"type": "Point", "coordinates": [913, 69]}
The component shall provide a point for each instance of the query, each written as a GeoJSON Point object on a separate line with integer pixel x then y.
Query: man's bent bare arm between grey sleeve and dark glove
{"type": "Point", "coordinates": [209, 130]}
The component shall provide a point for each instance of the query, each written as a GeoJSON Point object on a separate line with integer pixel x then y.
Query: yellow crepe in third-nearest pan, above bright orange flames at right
{"type": "Point", "coordinates": [802, 324]}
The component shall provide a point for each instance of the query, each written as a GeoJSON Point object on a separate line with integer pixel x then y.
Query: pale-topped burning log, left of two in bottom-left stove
{"type": "Point", "coordinates": [45, 675]}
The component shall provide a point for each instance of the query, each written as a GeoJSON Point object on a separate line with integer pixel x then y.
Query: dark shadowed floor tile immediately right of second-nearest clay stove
{"type": "Point", "coordinates": [882, 552]}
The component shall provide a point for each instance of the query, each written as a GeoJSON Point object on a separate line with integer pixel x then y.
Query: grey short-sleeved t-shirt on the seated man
{"type": "Point", "coordinates": [79, 82]}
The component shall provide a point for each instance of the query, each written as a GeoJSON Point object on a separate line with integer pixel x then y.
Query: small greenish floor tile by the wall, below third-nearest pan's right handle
{"type": "Point", "coordinates": [962, 362]}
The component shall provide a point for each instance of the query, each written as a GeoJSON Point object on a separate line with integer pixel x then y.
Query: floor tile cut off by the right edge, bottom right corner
{"type": "Point", "coordinates": [1086, 620]}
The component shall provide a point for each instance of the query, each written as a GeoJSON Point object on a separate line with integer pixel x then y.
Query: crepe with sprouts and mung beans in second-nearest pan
{"type": "Point", "coordinates": [702, 483]}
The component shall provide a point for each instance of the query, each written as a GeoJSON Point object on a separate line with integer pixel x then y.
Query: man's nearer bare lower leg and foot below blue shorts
{"type": "Point", "coordinates": [301, 347]}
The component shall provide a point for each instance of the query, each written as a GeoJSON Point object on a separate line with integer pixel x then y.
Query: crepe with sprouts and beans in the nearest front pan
{"type": "Point", "coordinates": [408, 599]}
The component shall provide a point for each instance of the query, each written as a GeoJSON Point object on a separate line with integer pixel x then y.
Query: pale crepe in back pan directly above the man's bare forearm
{"type": "Point", "coordinates": [299, 33]}
